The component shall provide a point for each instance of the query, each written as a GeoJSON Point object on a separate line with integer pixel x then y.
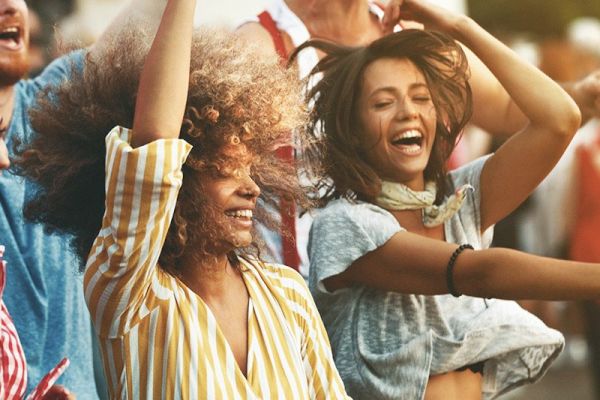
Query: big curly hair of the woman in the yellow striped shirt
{"type": "Point", "coordinates": [235, 98]}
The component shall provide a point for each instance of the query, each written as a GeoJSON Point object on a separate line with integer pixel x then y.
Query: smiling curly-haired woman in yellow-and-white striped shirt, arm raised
{"type": "Point", "coordinates": [181, 306]}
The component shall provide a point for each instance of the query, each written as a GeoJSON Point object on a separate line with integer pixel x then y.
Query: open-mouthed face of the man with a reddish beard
{"type": "Point", "coordinates": [14, 41]}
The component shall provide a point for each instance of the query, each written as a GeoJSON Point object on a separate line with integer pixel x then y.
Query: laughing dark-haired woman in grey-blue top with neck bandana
{"type": "Point", "coordinates": [400, 266]}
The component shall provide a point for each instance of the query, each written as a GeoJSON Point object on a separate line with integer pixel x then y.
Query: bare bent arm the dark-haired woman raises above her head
{"type": "Point", "coordinates": [523, 161]}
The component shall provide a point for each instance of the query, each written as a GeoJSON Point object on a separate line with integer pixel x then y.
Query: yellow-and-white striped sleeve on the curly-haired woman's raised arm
{"type": "Point", "coordinates": [142, 185]}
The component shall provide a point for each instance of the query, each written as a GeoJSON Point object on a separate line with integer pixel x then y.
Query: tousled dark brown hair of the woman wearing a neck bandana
{"type": "Point", "coordinates": [336, 158]}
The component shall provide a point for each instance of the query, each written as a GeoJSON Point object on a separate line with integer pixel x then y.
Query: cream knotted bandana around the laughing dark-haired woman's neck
{"type": "Point", "coordinates": [396, 196]}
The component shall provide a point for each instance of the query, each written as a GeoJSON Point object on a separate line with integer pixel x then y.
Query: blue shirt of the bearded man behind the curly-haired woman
{"type": "Point", "coordinates": [44, 292]}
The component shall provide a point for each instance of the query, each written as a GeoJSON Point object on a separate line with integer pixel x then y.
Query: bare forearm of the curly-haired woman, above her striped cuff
{"type": "Point", "coordinates": [164, 80]}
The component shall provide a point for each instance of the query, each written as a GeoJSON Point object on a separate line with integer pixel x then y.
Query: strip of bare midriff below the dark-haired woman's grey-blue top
{"type": "Point", "coordinates": [457, 385]}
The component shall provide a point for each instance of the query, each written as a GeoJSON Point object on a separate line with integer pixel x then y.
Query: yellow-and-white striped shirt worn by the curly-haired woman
{"type": "Point", "coordinates": [158, 338]}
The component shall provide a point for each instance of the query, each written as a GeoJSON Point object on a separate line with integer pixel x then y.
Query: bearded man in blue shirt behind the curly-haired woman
{"type": "Point", "coordinates": [44, 296]}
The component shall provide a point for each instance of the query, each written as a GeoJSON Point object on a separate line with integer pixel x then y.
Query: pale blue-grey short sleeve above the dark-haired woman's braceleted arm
{"type": "Point", "coordinates": [342, 233]}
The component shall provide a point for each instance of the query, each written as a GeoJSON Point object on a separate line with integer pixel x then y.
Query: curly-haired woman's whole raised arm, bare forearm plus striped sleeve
{"type": "Point", "coordinates": [142, 184]}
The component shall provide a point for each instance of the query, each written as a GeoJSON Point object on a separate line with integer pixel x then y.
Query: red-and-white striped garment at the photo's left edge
{"type": "Point", "coordinates": [13, 368]}
